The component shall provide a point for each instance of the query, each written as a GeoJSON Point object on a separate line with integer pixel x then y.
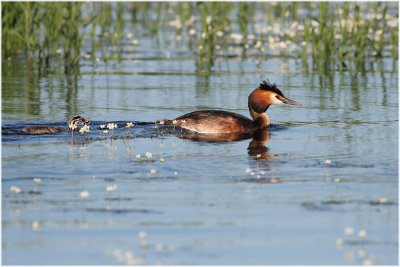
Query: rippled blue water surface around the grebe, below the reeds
{"type": "Point", "coordinates": [273, 201]}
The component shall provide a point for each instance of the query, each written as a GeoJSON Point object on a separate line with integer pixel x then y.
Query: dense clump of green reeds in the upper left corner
{"type": "Point", "coordinates": [37, 28]}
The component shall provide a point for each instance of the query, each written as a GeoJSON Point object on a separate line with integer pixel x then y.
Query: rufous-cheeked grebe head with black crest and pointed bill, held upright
{"type": "Point", "coordinates": [268, 94]}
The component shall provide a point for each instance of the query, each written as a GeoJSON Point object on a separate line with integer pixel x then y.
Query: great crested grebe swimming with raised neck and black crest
{"type": "Point", "coordinates": [220, 121]}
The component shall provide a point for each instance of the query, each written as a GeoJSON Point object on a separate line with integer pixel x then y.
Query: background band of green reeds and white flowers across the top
{"type": "Point", "coordinates": [343, 36]}
